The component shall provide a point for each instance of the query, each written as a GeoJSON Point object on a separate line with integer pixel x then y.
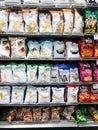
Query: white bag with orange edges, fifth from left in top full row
{"type": "Point", "coordinates": [57, 21]}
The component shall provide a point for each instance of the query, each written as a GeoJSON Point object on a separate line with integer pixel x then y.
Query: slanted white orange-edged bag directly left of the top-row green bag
{"type": "Point", "coordinates": [78, 24]}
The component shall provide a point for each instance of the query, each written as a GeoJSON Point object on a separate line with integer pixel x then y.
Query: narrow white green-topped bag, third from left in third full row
{"type": "Point", "coordinates": [31, 74]}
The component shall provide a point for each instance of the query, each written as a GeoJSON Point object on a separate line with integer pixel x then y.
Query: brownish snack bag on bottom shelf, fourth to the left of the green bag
{"type": "Point", "coordinates": [37, 114]}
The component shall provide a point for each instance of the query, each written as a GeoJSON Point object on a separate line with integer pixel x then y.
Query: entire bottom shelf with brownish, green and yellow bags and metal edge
{"type": "Point", "coordinates": [44, 117]}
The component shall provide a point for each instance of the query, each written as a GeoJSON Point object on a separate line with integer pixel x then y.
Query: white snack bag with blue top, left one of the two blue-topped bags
{"type": "Point", "coordinates": [64, 70]}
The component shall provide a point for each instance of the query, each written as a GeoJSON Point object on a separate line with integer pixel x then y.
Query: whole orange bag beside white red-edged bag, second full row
{"type": "Point", "coordinates": [86, 47]}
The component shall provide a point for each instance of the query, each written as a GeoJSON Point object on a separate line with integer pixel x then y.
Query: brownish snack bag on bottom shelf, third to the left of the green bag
{"type": "Point", "coordinates": [45, 114]}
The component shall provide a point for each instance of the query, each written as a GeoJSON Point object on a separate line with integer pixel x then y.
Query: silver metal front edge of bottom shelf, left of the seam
{"type": "Point", "coordinates": [49, 124]}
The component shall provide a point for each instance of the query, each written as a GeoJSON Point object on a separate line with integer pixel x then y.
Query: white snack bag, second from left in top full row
{"type": "Point", "coordinates": [16, 22]}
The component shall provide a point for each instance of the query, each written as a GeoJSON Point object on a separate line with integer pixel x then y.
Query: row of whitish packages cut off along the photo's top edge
{"type": "Point", "coordinates": [41, 4]}
